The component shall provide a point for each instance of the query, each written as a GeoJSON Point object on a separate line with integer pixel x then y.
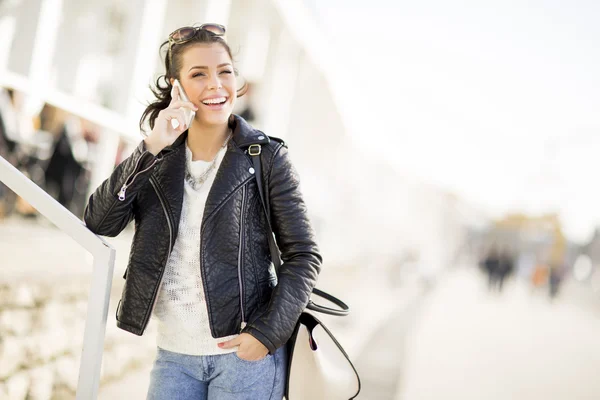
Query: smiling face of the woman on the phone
{"type": "Point", "coordinates": [209, 81]}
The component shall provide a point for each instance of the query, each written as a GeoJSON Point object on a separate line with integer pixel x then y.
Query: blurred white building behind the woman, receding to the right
{"type": "Point", "coordinates": [96, 59]}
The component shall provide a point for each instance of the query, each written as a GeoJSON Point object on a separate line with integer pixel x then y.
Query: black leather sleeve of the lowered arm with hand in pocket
{"type": "Point", "coordinates": [301, 261]}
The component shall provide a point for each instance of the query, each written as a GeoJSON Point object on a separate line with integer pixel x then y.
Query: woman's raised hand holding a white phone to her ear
{"type": "Point", "coordinates": [163, 134]}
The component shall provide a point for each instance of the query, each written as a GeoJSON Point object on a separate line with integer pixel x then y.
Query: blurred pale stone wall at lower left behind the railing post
{"type": "Point", "coordinates": [41, 338]}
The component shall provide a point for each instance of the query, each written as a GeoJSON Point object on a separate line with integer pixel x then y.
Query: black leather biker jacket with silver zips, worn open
{"type": "Point", "coordinates": [238, 276]}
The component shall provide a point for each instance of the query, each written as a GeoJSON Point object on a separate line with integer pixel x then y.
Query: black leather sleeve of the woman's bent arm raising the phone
{"type": "Point", "coordinates": [109, 208]}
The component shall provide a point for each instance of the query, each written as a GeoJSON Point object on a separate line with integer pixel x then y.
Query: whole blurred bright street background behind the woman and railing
{"type": "Point", "coordinates": [451, 187]}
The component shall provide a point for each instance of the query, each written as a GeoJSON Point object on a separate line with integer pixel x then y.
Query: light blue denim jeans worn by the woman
{"type": "Point", "coordinates": [220, 377]}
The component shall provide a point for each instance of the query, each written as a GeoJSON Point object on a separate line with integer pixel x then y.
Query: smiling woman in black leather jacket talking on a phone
{"type": "Point", "coordinates": [200, 260]}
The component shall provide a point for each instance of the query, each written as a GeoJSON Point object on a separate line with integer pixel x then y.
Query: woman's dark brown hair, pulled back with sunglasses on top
{"type": "Point", "coordinates": [162, 92]}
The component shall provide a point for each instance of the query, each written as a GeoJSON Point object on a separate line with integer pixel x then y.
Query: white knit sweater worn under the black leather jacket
{"type": "Point", "coordinates": [181, 310]}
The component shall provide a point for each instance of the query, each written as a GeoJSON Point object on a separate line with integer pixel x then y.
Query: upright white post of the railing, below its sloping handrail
{"type": "Point", "coordinates": [95, 325]}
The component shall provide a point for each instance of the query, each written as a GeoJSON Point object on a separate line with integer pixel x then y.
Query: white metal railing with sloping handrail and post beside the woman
{"type": "Point", "coordinates": [104, 262]}
